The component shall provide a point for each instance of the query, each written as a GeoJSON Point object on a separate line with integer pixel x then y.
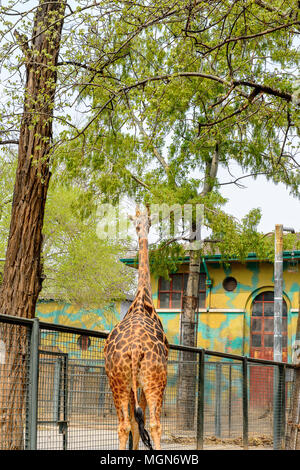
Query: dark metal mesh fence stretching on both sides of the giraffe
{"type": "Point", "coordinates": [54, 394]}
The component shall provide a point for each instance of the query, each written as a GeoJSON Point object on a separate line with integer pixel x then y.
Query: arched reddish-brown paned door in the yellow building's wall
{"type": "Point", "coordinates": [262, 327]}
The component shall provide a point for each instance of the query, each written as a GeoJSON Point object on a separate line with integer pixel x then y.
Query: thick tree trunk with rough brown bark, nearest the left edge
{"type": "Point", "coordinates": [22, 277]}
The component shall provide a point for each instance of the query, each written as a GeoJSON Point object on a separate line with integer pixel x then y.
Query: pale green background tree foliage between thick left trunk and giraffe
{"type": "Point", "coordinates": [79, 267]}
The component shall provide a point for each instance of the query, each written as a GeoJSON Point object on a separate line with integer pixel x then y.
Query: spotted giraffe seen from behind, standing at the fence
{"type": "Point", "coordinates": [136, 353]}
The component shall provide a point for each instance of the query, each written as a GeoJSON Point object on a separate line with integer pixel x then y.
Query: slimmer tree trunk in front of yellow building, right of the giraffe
{"type": "Point", "coordinates": [186, 396]}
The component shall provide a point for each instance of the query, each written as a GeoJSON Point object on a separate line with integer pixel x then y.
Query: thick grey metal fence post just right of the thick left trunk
{"type": "Point", "coordinates": [33, 385]}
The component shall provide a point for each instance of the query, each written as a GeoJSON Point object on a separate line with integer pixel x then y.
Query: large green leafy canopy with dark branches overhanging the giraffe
{"type": "Point", "coordinates": [154, 97]}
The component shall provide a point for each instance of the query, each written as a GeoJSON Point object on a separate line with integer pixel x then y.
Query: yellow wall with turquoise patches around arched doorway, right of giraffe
{"type": "Point", "coordinates": [225, 322]}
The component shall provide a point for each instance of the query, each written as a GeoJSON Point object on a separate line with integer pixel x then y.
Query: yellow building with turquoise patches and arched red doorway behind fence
{"type": "Point", "coordinates": [236, 306]}
